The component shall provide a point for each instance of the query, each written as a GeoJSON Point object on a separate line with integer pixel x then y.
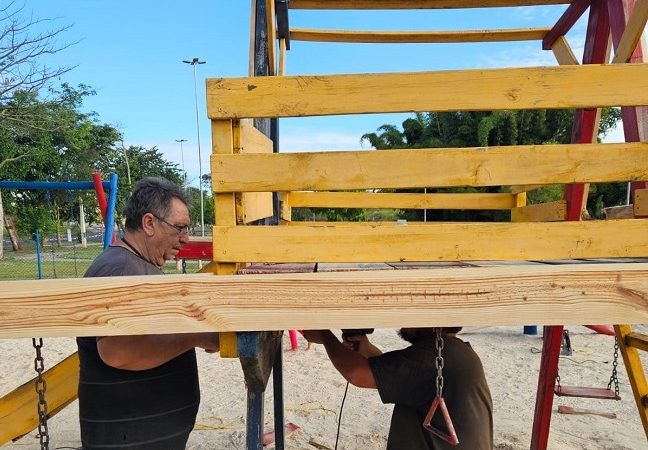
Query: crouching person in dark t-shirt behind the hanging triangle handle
{"type": "Point", "coordinates": [407, 378]}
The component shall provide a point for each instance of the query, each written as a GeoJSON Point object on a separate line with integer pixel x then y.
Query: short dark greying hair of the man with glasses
{"type": "Point", "coordinates": [151, 195]}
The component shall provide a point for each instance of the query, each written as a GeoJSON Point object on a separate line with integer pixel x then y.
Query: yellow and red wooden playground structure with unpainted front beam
{"type": "Point", "coordinates": [603, 277]}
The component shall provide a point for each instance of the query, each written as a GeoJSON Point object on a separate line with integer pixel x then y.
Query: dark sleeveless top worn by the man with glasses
{"type": "Point", "coordinates": [135, 410]}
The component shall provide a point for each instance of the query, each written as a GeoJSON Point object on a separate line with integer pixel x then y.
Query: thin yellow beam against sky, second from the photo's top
{"type": "Point", "coordinates": [405, 37]}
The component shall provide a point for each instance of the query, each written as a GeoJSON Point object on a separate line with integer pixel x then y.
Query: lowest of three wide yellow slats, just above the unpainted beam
{"type": "Point", "coordinates": [434, 242]}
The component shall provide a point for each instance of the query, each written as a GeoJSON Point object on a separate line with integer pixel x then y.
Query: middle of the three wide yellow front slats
{"type": "Point", "coordinates": [482, 166]}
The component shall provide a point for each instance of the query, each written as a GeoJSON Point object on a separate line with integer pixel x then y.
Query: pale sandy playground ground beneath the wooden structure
{"type": "Point", "coordinates": [313, 391]}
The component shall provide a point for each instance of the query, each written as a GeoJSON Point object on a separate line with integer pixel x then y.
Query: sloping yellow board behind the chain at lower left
{"type": "Point", "coordinates": [18, 414]}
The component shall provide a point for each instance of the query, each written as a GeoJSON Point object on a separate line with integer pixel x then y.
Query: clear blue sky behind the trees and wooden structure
{"type": "Point", "coordinates": [131, 53]}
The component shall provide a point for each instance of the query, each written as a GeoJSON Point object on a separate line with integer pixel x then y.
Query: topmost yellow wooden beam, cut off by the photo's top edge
{"type": "Point", "coordinates": [415, 4]}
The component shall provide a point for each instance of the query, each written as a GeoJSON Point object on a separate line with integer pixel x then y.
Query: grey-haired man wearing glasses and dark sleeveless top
{"type": "Point", "coordinates": [142, 392]}
